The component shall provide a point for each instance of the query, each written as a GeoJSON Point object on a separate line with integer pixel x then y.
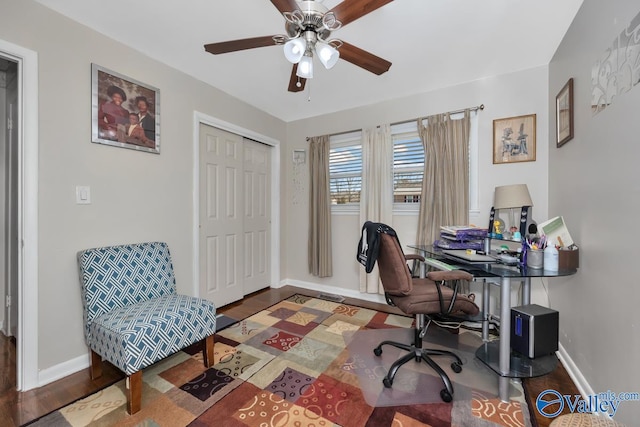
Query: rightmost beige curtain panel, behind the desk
{"type": "Point", "coordinates": [445, 187]}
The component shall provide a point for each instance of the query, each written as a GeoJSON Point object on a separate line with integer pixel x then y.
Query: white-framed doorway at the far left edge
{"type": "Point", "coordinates": [19, 275]}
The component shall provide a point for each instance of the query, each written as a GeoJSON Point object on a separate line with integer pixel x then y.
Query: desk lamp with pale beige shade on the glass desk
{"type": "Point", "coordinates": [513, 197]}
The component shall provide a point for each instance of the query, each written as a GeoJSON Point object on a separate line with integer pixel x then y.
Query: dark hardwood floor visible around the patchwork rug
{"type": "Point", "coordinates": [18, 408]}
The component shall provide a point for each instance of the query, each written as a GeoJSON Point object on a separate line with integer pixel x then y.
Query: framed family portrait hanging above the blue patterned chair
{"type": "Point", "coordinates": [124, 112]}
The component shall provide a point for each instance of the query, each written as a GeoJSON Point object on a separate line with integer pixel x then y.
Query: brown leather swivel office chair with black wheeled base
{"type": "Point", "coordinates": [426, 298]}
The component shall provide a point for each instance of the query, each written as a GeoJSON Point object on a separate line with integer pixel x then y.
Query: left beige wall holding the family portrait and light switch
{"type": "Point", "coordinates": [136, 196]}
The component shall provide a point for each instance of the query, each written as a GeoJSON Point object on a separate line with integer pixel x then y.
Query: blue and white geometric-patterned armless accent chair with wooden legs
{"type": "Point", "coordinates": [133, 316]}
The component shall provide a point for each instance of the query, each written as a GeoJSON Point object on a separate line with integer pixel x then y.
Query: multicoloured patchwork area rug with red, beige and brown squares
{"type": "Point", "coordinates": [302, 362]}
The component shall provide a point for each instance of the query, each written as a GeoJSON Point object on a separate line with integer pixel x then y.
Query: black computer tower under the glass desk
{"type": "Point", "coordinates": [534, 330]}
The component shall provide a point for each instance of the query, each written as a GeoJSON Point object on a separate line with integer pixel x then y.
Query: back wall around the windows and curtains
{"type": "Point", "coordinates": [507, 95]}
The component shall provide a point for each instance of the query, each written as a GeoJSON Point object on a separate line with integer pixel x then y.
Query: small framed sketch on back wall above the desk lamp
{"type": "Point", "coordinates": [514, 139]}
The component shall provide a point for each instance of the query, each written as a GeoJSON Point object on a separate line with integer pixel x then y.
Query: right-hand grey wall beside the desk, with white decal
{"type": "Point", "coordinates": [593, 183]}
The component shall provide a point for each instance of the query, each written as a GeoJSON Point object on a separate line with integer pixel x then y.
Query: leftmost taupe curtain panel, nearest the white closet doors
{"type": "Point", "coordinates": [319, 257]}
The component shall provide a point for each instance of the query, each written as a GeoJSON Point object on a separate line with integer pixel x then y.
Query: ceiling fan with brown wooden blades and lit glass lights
{"type": "Point", "coordinates": [308, 26]}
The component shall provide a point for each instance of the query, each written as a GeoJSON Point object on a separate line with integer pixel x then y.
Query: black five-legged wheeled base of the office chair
{"type": "Point", "coordinates": [415, 351]}
